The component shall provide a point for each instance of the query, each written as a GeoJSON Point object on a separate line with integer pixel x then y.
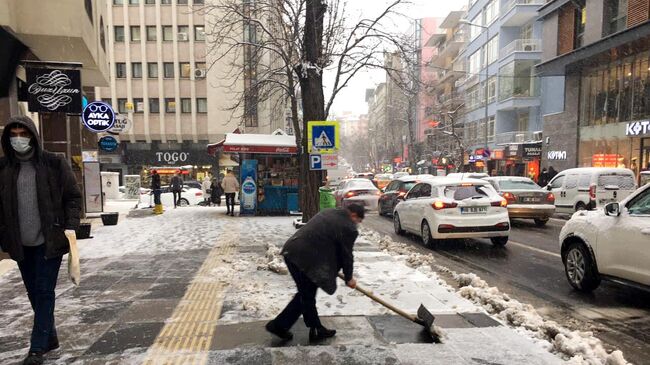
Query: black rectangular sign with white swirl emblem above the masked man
{"type": "Point", "coordinates": [52, 90]}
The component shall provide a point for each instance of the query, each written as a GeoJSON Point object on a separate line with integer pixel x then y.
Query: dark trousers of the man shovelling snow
{"type": "Point", "coordinates": [304, 302]}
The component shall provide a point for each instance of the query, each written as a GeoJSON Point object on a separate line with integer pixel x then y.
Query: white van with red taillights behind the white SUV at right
{"type": "Point", "coordinates": [590, 187]}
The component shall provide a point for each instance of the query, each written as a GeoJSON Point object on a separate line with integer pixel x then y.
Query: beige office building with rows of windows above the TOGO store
{"type": "Point", "coordinates": [176, 87]}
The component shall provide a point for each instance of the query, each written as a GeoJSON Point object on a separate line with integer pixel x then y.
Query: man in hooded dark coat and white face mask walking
{"type": "Point", "coordinates": [39, 202]}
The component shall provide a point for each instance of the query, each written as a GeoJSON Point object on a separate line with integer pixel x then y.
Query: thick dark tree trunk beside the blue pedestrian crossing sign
{"type": "Point", "coordinates": [313, 100]}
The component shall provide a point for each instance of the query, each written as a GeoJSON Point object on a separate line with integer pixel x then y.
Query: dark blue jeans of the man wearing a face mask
{"type": "Point", "coordinates": [40, 276]}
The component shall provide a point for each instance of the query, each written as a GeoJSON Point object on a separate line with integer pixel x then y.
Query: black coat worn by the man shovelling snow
{"type": "Point", "coordinates": [323, 247]}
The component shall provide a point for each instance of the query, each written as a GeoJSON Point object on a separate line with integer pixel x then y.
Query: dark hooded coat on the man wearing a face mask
{"type": "Point", "coordinates": [59, 198]}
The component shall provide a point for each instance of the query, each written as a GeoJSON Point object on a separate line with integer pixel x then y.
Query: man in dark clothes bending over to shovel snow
{"type": "Point", "coordinates": [314, 256]}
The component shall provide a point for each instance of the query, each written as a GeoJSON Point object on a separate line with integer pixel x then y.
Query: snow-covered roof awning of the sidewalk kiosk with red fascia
{"type": "Point", "coordinates": [260, 143]}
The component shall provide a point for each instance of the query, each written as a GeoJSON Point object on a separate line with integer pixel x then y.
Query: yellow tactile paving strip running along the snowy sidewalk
{"type": "Point", "coordinates": [187, 335]}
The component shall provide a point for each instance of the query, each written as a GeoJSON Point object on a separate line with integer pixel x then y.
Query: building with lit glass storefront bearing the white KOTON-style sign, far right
{"type": "Point", "coordinates": [595, 74]}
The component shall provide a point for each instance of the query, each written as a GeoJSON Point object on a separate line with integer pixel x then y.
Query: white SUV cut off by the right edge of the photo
{"type": "Point", "coordinates": [612, 243]}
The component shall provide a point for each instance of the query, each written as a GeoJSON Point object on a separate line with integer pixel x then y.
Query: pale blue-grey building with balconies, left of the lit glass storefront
{"type": "Point", "coordinates": [502, 105]}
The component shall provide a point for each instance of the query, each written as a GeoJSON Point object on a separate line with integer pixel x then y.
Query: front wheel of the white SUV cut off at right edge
{"type": "Point", "coordinates": [579, 268]}
